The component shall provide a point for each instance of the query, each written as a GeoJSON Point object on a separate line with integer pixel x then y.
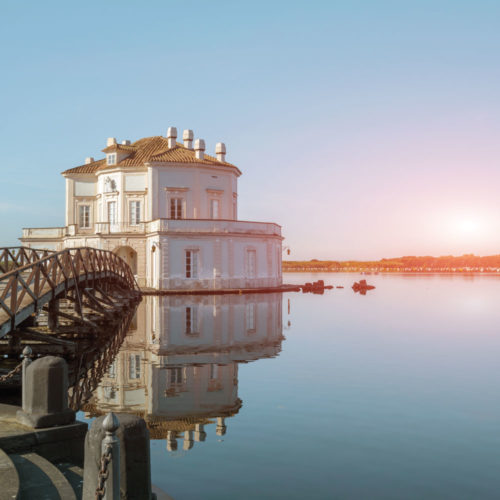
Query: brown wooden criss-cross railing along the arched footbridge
{"type": "Point", "coordinates": [29, 287]}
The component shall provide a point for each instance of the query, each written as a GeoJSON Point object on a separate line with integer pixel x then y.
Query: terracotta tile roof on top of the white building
{"type": "Point", "coordinates": [150, 149]}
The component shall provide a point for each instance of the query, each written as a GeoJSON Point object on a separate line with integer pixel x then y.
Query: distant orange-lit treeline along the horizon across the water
{"type": "Point", "coordinates": [447, 263]}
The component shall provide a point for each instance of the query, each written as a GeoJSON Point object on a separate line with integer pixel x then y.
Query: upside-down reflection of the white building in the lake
{"type": "Point", "coordinates": [178, 367]}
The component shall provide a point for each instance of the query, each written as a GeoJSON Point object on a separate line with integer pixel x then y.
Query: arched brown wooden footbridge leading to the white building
{"type": "Point", "coordinates": [33, 280]}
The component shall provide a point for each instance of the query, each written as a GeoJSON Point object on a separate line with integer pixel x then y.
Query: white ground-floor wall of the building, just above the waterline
{"type": "Point", "coordinates": [160, 259]}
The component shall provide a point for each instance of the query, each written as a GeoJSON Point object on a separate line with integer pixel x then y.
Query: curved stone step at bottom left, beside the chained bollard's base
{"type": "Point", "coordinates": [40, 479]}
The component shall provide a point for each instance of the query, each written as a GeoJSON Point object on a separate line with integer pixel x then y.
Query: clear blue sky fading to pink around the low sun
{"type": "Point", "coordinates": [366, 129]}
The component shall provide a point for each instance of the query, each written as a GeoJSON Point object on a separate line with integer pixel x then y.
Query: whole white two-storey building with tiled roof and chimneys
{"type": "Point", "coordinates": [170, 211]}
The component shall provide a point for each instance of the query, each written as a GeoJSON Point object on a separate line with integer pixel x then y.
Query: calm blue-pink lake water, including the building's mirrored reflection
{"type": "Point", "coordinates": [395, 394]}
